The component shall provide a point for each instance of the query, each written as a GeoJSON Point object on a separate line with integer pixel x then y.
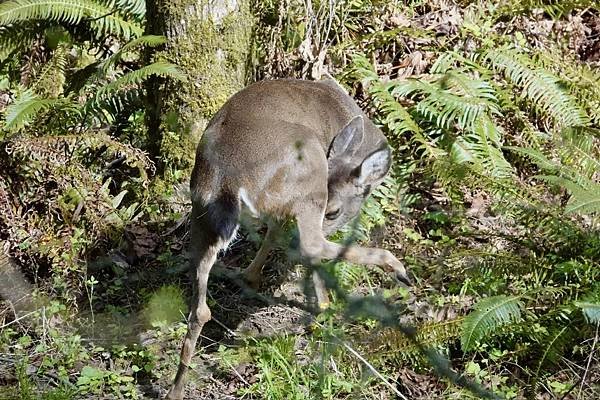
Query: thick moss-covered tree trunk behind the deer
{"type": "Point", "coordinates": [209, 40]}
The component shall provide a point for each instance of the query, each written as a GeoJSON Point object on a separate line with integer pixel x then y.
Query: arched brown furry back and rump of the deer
{"type": "Point", "coordinates": [272, 138]}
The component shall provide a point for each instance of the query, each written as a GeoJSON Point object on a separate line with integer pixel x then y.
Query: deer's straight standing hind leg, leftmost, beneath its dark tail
{"type": "Point", "coordinates": [212, 229]}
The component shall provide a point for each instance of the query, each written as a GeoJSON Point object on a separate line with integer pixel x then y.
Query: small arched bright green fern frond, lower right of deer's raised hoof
{"type": "Point", "coordinates": [490, 314]}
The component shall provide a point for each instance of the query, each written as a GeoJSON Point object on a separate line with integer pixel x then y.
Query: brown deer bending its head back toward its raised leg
{"type": "Point", "coordinates": [282, 149]}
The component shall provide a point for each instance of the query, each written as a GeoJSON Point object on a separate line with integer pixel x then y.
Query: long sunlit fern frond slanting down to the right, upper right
{"type": "Point", "coordinates": [539, 87]}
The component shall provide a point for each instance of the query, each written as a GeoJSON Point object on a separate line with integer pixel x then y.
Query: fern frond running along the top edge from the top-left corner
{"type": "Point", "coordinates": [103, 17]}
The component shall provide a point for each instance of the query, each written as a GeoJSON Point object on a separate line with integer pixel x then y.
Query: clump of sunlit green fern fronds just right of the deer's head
{"type": "Point", "coordinates": [450, 102]}
